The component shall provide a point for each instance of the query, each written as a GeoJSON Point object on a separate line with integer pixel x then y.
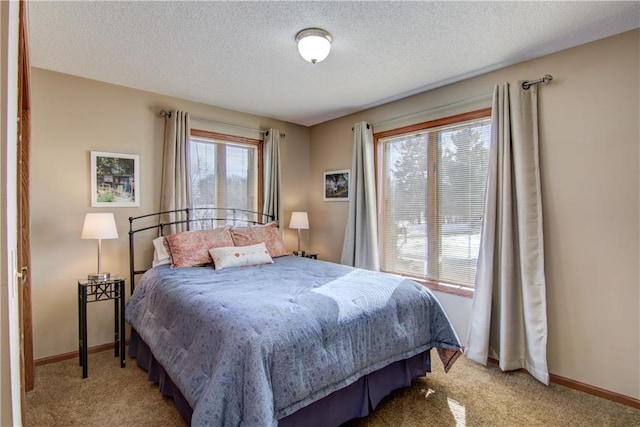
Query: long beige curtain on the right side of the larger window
{"type": "Point", "coordinates": [509, 318]}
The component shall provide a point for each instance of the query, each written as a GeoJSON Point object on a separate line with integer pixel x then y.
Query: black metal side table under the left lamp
{"type": "Point", "coordinates": [101, 290]}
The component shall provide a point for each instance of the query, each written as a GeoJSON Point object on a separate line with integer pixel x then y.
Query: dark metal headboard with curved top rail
{"type": "Point", "coordinates": [201, 218]}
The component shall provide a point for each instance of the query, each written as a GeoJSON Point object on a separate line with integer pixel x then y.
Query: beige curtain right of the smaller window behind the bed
{"type": "Point", "coordinates": [272, 179]}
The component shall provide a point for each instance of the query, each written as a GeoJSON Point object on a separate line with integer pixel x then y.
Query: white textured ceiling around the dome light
{"type": "Point", "coordinates": [242, 55]}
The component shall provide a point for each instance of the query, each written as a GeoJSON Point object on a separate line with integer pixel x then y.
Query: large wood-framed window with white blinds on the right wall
{"type": "Point", "coordinates": [432, 179]}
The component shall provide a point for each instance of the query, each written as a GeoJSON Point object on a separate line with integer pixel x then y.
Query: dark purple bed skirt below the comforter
{"type": "Point", "coordinates": [354, 401]}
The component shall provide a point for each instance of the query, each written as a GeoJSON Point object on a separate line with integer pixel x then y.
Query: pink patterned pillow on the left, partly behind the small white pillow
{"type": "Point", "coordinates": [191, 248]}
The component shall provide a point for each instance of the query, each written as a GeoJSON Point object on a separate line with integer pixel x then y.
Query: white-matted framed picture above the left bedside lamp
{"type": "Point", "coordinates": [115, 180]}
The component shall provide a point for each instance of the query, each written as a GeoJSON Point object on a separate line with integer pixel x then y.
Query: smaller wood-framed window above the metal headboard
{"type": "Point", "coordinates": [225, 172]}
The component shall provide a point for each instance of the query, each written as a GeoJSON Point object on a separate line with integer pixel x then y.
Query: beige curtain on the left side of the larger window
{"type": "Point", "coordinates": [360, 247]}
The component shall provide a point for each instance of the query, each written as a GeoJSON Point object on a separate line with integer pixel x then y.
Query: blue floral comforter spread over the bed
{"type": "Point", "coordinates": [250, 345]}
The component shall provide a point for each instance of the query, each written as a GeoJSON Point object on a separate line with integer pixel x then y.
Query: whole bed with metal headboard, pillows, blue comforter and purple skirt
{"type": "Point", "coordinates": [279, 339]}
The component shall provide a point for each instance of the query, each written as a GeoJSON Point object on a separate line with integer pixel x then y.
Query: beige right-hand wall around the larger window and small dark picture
{"type": "Point", "coordinates": [589, 148]}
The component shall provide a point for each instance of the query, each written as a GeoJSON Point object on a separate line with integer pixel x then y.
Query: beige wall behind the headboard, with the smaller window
{"type": "Point", "coordinates": [72, 117]}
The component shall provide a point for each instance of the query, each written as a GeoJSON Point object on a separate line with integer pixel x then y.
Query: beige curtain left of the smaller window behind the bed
{"type": "Point", "coordinates": [176, 183]}
